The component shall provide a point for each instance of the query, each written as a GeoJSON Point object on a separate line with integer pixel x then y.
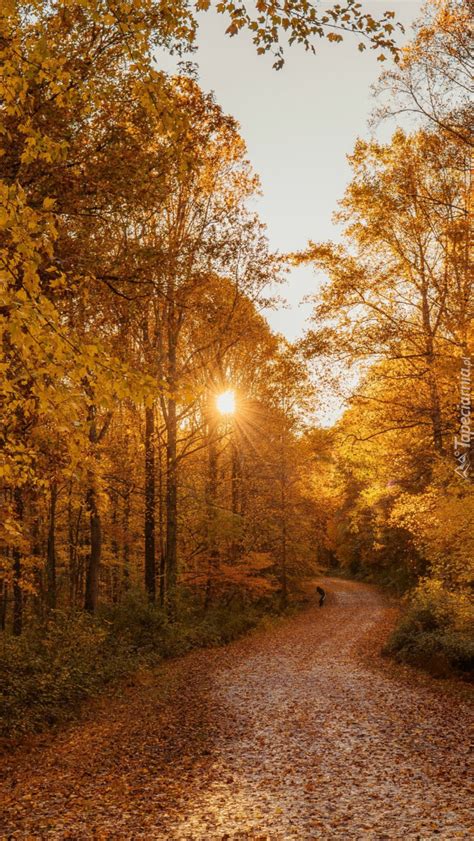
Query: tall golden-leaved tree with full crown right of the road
{"type": "Point", "coordinates": [398, 310]}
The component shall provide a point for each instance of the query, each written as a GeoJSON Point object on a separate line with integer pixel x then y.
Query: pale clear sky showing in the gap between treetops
{"type": "Point", "coordinates": [299, 124]}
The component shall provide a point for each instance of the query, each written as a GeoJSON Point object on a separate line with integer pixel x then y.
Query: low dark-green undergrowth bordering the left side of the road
{"type": "Point", "coordinates": [48, 671]}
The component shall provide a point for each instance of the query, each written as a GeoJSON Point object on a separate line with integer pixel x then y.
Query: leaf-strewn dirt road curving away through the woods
{"type": "Point", "coordinates": [300, 731]}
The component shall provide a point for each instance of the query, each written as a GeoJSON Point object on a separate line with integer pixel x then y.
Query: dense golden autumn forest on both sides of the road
{"type": "Point", "coordinates": [164, 482]}
